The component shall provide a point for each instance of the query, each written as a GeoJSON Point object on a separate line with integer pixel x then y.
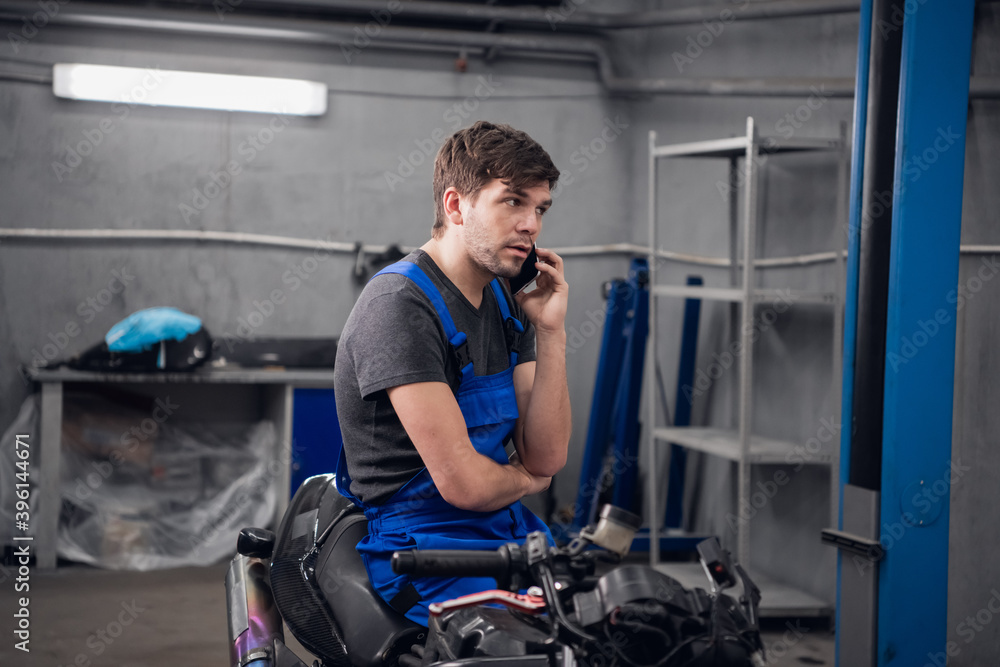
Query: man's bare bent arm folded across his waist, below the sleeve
{"type": "Point", "coordinates": [464, 477]}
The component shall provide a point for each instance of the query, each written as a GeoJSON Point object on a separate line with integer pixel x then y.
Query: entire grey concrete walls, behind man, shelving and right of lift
{"type": "Point", "coordinates": [326, 179]}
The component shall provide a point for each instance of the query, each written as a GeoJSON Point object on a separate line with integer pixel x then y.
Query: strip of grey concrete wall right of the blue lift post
{"type": "Point", "coordinates": [974, 576]}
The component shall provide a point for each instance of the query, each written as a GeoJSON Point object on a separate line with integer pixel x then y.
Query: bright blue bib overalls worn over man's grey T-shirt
{"type": "Point", "coordinates": [416, 516]}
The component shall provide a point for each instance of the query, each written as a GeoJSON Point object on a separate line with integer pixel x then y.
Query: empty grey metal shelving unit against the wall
{"type": "Point", "coordinates": [741, 445]}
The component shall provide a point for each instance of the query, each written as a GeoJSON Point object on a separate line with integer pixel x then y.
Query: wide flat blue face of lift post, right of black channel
{"type": "Point", "coordinates": [920, 336]}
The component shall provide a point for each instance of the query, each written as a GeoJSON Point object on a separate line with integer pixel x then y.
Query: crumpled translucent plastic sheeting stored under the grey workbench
{"type": "Point", "coordinates": [141, 494]}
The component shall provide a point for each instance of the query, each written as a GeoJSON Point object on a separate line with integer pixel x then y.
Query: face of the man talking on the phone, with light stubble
{"type": "Point", "coordinates": [502, 224]}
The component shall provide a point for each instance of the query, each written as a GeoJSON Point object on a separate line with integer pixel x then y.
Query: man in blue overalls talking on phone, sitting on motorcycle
{"type": "Point", "coordinates": [437, 370]}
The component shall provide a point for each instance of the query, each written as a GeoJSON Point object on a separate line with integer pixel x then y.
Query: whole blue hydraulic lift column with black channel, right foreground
{"type": "Point", "coordinates": [893, 532]}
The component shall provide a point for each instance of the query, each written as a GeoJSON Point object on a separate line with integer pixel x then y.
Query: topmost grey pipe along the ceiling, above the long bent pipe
{"type": "Point", "coordinates": [566, 16]}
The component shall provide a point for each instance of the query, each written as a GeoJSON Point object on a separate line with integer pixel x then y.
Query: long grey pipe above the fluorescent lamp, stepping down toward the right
{"type": "Point", "coordinates": [395, 37]}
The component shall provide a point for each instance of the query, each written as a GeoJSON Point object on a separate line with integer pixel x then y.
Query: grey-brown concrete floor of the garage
{"type": "Point", "coordinates": [87, 617]}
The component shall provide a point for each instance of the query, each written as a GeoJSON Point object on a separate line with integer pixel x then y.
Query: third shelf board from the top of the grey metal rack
{"type": "Point", "coordinates": [726, 444]}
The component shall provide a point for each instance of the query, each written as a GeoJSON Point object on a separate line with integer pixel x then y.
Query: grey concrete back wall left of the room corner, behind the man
{"type": "Point", "coordinates": [360, 173]}
